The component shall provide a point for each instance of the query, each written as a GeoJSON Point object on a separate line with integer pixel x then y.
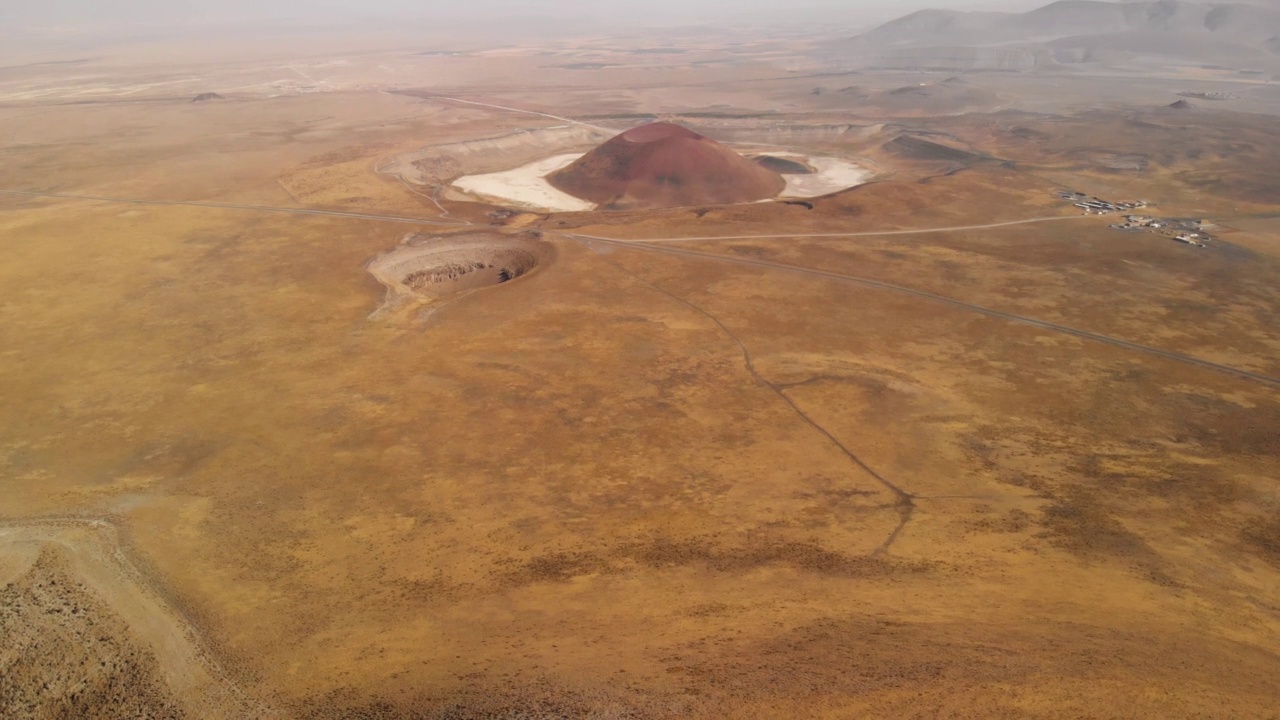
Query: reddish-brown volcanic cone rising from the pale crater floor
{"type": "Point", "coordinates": [666, 166]}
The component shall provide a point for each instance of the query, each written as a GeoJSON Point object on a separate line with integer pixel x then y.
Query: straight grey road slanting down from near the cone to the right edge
{"type": "Point", "coordinates": [926, 295]}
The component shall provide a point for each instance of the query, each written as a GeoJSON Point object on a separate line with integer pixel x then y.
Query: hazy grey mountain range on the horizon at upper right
{"type": "Point", "coordinates": [1076, 33]}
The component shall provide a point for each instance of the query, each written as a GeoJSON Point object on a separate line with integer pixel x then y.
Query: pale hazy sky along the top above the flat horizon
{"type": "Point", "coordinates": [19, 13]}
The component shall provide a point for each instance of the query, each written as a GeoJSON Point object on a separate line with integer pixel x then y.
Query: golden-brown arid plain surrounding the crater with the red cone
{"type": "Point", "coordinates": [934, 446]}
